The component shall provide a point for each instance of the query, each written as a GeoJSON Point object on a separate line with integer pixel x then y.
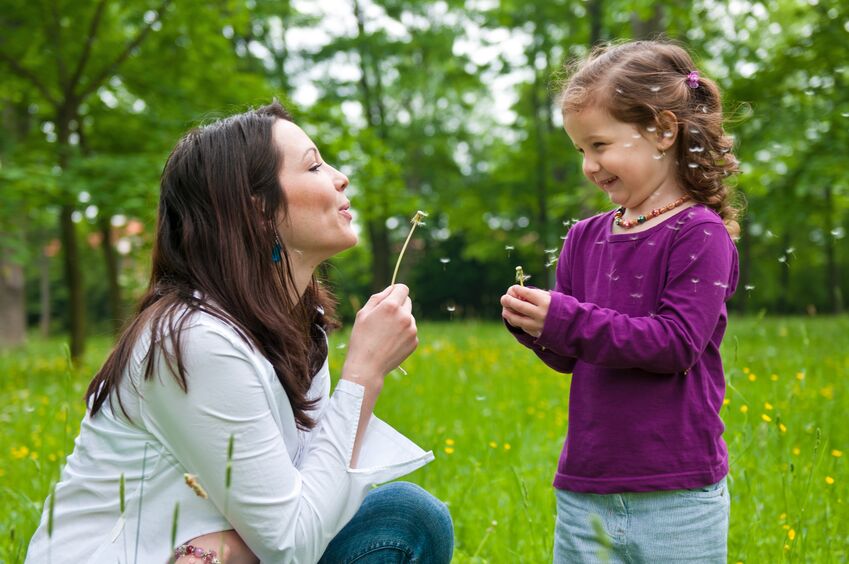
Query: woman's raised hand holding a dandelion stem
{"type": "Point", "coordinates": [384, 334]}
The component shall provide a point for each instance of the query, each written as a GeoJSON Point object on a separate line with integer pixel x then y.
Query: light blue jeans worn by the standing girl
{"type": "Point", "coordinates": [653, 527]}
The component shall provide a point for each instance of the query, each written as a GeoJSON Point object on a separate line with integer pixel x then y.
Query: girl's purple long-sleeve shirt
{"type": "Point", "coordinates": [638, 319]}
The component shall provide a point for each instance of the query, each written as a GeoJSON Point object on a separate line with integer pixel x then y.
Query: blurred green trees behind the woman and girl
{"type": "Point", "coordinates": [442, 106]}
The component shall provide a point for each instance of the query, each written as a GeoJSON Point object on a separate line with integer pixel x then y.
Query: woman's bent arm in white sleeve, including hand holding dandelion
{"type": "Point", "coordinates": [281, 512]}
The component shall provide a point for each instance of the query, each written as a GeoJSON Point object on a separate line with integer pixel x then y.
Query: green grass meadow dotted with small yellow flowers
{"type": "Point", "coordinates": [495, 417]}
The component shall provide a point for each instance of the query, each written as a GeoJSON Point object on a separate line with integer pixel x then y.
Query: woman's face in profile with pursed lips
{"type": "Point", "coordinates": [318, 222]}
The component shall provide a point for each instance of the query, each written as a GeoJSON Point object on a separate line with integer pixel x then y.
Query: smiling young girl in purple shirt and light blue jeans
{"type": "Point", "coordinates": [638, 312]}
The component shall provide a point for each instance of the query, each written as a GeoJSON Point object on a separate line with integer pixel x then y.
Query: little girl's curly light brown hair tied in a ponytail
{"type": "Point", "coordinates": [639, 80]}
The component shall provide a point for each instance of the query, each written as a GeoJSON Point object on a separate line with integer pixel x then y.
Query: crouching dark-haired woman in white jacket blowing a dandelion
{"type": "Point", "coordinates": [223, 375]}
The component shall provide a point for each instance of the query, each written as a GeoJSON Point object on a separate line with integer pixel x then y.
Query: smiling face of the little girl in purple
{"type": "Point", "coordinates": [623, 160]}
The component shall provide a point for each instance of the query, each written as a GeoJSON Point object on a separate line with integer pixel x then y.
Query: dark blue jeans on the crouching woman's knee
{"type": "Point", "coordinates": [397, 522]}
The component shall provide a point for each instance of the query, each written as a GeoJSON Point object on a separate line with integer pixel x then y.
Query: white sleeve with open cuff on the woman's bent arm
{"type": "Point", "coordinates": [283, 513]}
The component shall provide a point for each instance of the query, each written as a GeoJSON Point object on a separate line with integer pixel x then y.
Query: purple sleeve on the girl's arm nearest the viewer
{"type": "Point", "coordinates": [674, 337]}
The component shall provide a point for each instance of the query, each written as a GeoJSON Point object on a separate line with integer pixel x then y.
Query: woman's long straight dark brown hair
{"type": "Point", "coordinates": [220, 197]}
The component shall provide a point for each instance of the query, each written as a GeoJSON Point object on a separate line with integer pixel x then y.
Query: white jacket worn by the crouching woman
{"type": "Point", "coordinates": [291, 491]}
